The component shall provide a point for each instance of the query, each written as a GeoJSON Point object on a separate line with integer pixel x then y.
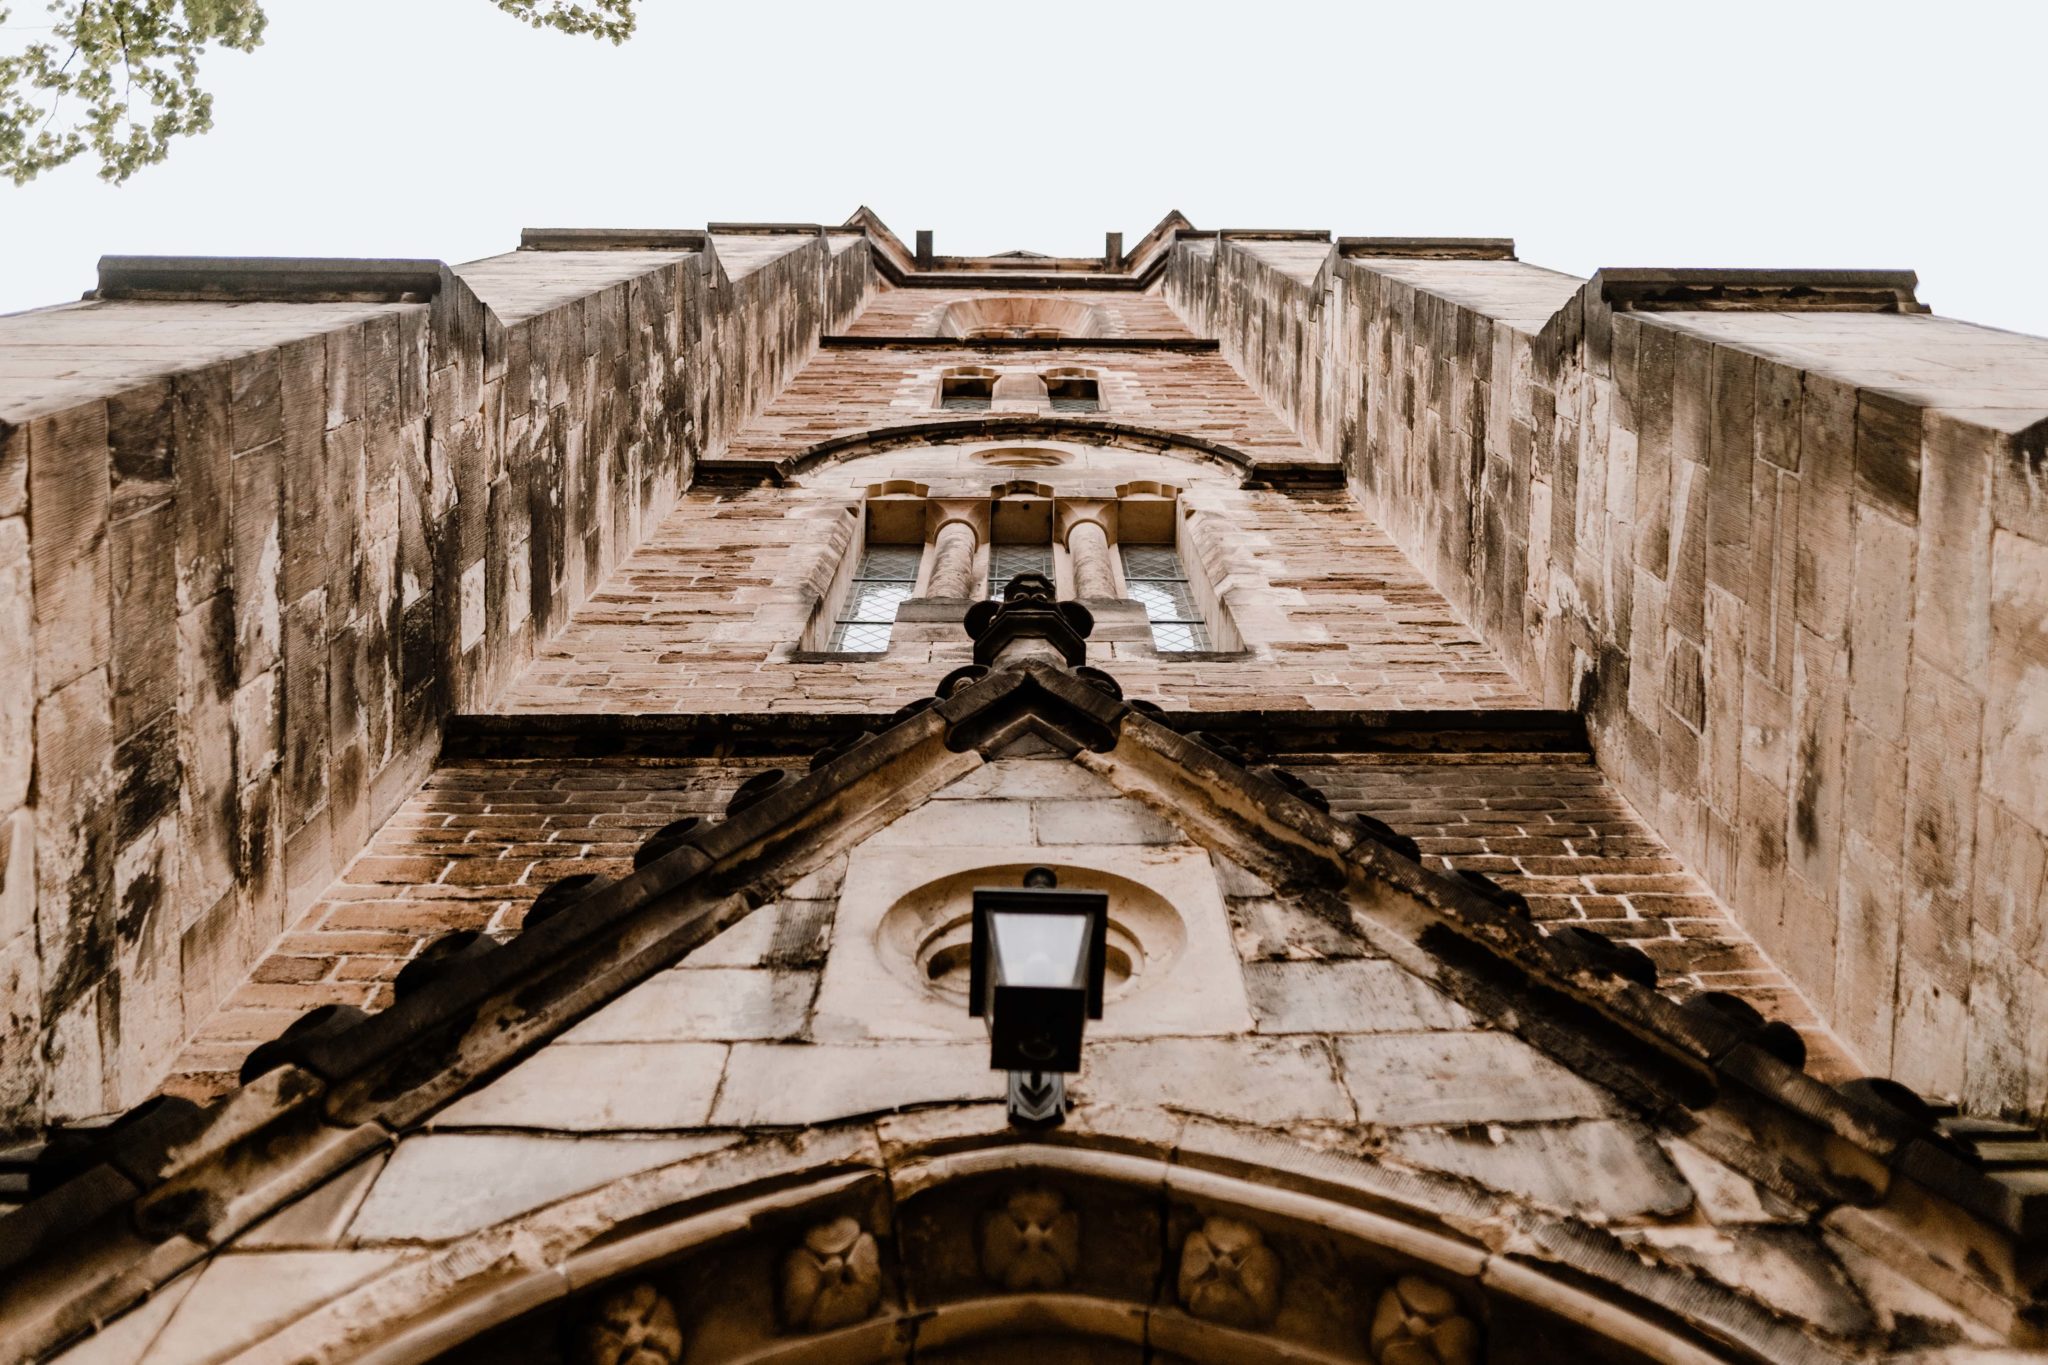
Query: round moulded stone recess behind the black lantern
{"type": "Point", "coordinates": [925, 936]}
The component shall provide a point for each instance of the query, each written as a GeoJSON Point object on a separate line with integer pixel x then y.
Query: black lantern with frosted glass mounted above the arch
{"type": "Point", "coordinates": [1035, 977]}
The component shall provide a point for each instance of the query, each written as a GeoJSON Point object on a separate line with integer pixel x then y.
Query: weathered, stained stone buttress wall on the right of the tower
{"type": "Point", "coordinates": [1791, 566]}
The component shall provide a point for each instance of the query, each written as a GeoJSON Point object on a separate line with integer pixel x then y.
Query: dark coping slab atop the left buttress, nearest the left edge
{"type": "Point", "coordinates": [271, 279]}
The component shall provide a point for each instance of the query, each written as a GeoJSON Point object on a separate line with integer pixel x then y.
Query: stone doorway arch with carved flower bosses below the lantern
{"type": "Point", "coordinates": [1039, 1253]}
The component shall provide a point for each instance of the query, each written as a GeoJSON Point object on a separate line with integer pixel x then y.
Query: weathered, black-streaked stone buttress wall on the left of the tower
{"type": "Point", "coordinates": [253, 556]}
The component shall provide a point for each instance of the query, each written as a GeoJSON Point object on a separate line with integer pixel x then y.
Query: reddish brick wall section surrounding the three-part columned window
{"type": "Point", "coordinates": [708, 615]}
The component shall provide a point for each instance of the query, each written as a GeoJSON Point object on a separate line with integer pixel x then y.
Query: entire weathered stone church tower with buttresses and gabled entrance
{"type": "Point", "coordinates": [1486, 816]}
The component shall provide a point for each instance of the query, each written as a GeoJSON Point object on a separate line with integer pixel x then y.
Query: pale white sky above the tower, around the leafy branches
{"type": "Point", "coordinates": [1650, 134]}
